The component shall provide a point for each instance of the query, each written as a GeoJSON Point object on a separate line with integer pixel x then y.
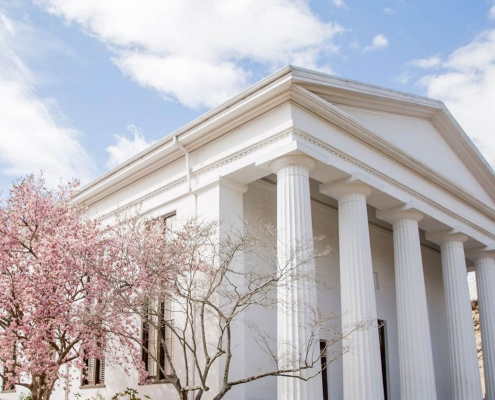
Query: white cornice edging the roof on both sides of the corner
{"type": "Point", "coordinates": [160, 152]}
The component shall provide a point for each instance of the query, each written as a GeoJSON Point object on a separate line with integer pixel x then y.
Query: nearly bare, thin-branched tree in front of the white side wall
{"type": "Point", "coordinates": [192, 291]}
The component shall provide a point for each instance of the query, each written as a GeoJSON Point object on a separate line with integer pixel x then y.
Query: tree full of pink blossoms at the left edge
{"type": "Point", "coordinates": [54, 311]}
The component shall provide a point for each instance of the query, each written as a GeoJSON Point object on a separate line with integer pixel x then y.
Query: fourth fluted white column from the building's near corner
{"type": "Point", "coordinates": [464, 370]}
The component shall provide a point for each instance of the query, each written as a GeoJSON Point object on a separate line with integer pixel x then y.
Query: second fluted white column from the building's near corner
{"type": "Point", "coordinates": [362, 365]}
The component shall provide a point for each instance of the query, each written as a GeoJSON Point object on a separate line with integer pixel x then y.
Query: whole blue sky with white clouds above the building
{"type": "Point", "coordinates": [84, 85]}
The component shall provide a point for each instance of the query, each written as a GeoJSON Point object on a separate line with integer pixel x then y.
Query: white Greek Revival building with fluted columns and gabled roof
{"type": "Point", "coordinates": [397, 189]}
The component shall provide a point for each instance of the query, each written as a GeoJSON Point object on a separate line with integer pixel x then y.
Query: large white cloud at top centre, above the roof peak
{"type": "Point", "coordinates": [199, 53]}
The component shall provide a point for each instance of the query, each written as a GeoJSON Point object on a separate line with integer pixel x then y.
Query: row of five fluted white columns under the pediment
{"type": "Point", "coordinates": [361, 367]}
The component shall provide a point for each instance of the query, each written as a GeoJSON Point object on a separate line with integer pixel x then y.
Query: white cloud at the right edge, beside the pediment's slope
{"type": "Point", "coordinates": [466, 84]}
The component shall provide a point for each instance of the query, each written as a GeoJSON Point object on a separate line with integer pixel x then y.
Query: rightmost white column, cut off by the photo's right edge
{"type": "Point", "coordinates": [485, 282]}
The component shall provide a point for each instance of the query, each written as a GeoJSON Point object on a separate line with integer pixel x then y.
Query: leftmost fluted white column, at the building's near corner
{"type": "Point", "coordinates": [296, 298]}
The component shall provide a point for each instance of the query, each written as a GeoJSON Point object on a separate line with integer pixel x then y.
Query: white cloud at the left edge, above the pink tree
{"type": "Point", "coordinates": [34, 136]}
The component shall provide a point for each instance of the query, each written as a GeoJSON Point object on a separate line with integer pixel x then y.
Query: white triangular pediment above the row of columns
{"type": "Point", "coordinates": [415, 129]}
